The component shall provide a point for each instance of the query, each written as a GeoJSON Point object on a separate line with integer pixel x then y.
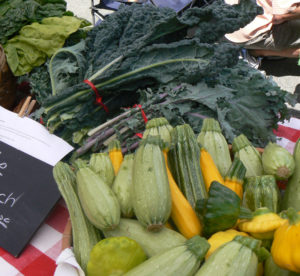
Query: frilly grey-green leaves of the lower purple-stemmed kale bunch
{"type": "Point", "coordinates": [242, 100]}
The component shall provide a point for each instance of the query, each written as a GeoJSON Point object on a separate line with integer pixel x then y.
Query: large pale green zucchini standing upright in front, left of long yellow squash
{"type": "Point", "coordinates": [151, 194]}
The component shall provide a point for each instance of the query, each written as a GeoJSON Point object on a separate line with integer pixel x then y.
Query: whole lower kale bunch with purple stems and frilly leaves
{"type": "Point", "coordinates": [243, 101]}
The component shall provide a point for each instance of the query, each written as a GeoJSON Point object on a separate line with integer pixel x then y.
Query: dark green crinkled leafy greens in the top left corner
{"type": "Point", "coordinates": [14, 14]}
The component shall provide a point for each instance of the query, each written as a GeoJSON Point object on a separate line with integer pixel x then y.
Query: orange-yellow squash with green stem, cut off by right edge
{"type": "Point", "coordinates": [285, 248]}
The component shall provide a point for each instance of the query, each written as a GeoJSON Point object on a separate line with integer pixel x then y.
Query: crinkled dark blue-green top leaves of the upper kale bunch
{"type": "Point", "coordinates": [132, 28]}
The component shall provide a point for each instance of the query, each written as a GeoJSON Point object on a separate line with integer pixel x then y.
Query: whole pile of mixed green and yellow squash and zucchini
{"type": "Point", "coordinates": [184, 204]}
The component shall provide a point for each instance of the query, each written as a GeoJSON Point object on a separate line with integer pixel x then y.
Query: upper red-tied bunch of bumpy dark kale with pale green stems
{"type": "Point", "coordinates": [142, 46]}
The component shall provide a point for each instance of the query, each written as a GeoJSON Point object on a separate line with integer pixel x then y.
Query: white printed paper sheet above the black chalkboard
{"type": "Point", "coordinates": [31, 137]}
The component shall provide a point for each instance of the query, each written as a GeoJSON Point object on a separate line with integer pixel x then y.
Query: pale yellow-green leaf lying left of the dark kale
{"type": "Point", "coordinates": [38, 41]}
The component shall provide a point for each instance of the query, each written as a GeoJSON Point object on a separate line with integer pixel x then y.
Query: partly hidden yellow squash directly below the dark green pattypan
{"type": "Point", "coordinates": [221, 237]}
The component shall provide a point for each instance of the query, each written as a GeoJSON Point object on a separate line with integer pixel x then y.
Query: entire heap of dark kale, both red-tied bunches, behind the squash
{"type": "Point", "coordinates": [139, 47]}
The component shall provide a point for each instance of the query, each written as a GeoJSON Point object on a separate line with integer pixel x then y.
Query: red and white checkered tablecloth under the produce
{"type": "Point", "coordinates": [38, 258]}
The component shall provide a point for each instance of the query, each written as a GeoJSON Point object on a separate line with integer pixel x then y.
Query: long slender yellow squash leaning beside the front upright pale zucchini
{"type": "Point", "coordinates": [182, 214]}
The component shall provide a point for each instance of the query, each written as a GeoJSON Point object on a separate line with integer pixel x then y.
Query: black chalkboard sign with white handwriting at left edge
{"type": "Point", "coordinates": [28, 193]}
